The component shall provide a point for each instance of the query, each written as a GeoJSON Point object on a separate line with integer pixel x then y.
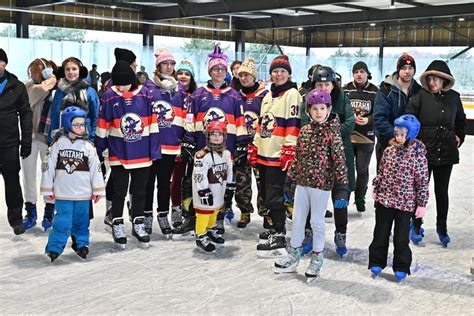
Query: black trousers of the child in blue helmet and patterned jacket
{"type": "Point", "coordinates": [378, 249]}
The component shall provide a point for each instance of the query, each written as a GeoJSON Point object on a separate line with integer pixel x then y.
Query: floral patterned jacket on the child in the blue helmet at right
{"type": "Point", "coordinates": [402, 181]}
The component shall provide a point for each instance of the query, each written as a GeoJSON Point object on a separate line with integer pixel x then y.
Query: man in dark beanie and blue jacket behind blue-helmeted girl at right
{"type": "Point", "coordinates": [391, 100]}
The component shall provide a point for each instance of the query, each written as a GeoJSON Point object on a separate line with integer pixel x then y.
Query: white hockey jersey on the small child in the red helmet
{"type": "Point", "coordinates": [211, 170]}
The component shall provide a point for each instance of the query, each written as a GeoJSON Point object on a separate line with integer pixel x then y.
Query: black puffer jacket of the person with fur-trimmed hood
{"type": "Point", "coordinates": [442, 118]}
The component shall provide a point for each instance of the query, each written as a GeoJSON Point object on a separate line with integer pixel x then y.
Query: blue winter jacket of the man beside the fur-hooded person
{"type": "Point", "coordinates": [390, 103]}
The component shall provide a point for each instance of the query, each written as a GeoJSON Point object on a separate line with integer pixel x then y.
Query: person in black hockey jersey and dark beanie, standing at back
{"type": "Point", "coordinates": [362, 96]}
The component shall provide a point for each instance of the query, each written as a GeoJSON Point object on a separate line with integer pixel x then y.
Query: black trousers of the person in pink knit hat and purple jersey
{"type": "Point", "coordinates": [161, 170]}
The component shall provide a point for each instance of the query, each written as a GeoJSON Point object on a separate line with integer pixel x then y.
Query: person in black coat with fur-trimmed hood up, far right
{"type": "Point", "coordinates": [441, 114]}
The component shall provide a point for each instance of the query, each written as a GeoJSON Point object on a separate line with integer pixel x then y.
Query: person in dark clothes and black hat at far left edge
{"type": "Point", "coordinates": [14, 104]}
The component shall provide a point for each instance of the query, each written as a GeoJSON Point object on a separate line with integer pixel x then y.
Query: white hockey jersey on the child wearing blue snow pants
{"type": "Point", "coordinates": [72, 171]}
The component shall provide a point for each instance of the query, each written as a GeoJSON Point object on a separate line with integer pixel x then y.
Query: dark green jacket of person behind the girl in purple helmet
{"type": "Point", "coordinates": [342, 107]}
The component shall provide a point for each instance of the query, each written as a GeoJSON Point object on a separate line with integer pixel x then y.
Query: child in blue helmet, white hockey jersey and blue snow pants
{"type": "Point", "coordinates": [72, 176]}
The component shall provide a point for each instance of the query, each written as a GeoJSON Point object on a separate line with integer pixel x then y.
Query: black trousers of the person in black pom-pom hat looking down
{"type": "Point", "coordinates": [137, 179]}
